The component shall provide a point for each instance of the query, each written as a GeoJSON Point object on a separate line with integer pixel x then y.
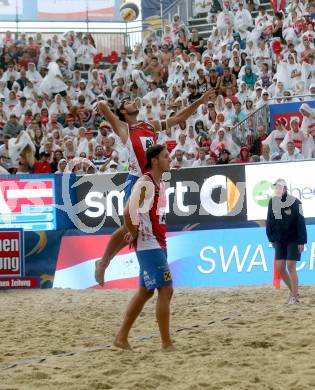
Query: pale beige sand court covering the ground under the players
{"type": "Point", "coordinates": [242, 338]}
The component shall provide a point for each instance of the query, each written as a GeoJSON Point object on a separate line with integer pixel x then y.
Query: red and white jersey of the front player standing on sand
{"type": "Point", "coordinates": [152, 222]}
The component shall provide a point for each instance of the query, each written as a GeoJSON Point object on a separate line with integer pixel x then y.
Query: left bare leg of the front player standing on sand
{"type": "Point", "coordinates": [133, 310]}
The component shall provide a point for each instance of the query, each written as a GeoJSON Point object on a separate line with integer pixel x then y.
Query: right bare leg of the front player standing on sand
{"type": "Point", "coordinates": [163, 316]}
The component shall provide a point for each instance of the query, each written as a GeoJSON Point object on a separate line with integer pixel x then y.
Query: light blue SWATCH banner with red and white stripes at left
{"type": "Point", "coordinates": [204, 258]}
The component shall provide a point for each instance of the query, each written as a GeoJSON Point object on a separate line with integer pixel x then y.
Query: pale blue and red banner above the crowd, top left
{"type": "Point", "coordinates": [60, 10]}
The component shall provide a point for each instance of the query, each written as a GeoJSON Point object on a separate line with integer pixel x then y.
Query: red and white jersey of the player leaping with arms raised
{"type": "Point", "coordinates": [141, 136]}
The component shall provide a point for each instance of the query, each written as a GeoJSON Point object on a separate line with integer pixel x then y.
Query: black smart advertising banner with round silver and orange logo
{"type": "Point", "coordinates": [215, 194]}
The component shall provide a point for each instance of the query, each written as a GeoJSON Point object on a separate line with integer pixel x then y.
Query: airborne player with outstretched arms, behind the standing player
{"type": "Point", "coordinates": [137, 136]}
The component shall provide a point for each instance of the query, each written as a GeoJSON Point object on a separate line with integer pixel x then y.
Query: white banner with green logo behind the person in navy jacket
{"type": "Point", "coordinates": [259, 189]}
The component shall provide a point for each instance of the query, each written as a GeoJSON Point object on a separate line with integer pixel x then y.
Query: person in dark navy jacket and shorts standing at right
{"type": "Point", "coordinates": [286, 230]}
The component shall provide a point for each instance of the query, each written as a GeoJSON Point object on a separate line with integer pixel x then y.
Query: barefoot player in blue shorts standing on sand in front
{"type": "Point", "coordinates": [144, 221]}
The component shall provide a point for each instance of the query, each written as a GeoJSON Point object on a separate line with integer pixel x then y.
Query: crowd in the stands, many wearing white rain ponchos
{"type": "Point", "coordinates": [49, 92]}
